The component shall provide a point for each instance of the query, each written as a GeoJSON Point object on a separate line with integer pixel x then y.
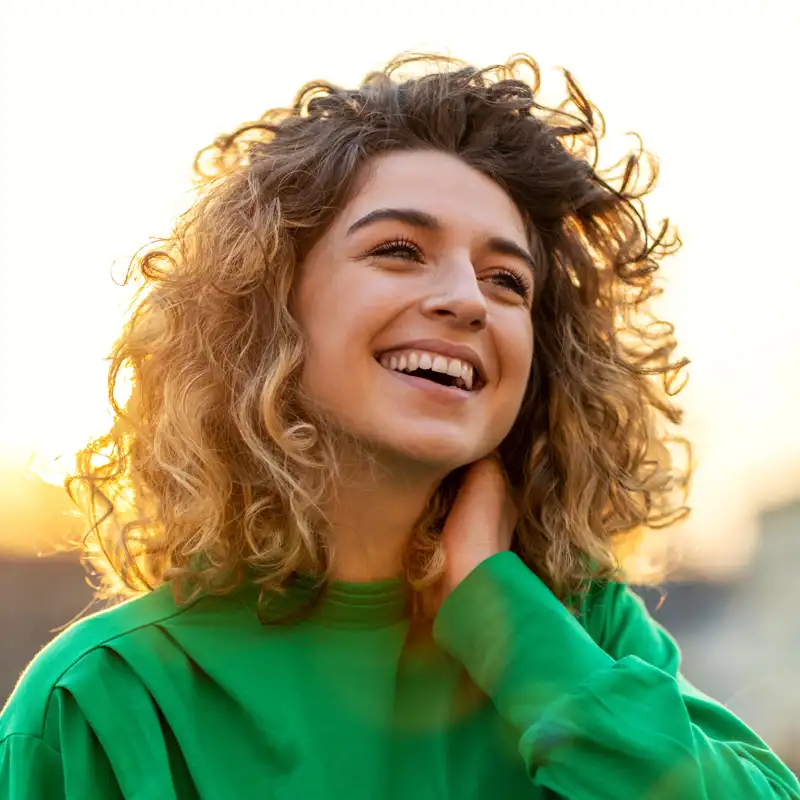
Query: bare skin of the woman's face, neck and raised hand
{"type": "Point", "coordinates": [451, 282]}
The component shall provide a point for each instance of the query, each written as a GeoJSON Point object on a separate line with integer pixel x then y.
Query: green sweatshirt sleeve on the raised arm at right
{"type": "Point", "coordinates": [603, 716]}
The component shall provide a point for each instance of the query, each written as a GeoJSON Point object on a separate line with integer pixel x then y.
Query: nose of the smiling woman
{"type": "Point", "coordinates": [456, 297]}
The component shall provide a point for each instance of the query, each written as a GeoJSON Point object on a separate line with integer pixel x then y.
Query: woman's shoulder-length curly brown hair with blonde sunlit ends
{"type": "Point", "coordinates": [214, 468]}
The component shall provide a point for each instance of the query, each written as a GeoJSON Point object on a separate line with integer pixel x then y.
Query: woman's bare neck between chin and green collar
{"type": "Point", "coordinates": [372, 517]}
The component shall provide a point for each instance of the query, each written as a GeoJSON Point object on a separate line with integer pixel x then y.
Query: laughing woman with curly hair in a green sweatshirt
{"type": "Point", "coordinates": [397, 410]}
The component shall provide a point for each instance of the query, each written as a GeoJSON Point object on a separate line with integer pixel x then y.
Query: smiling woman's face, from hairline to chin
{"type": "Point", "coordinates": [421, 287]}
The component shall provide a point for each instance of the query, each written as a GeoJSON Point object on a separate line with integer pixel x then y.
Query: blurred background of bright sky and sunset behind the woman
{"type": "Point", "coordinates": [104, 105]}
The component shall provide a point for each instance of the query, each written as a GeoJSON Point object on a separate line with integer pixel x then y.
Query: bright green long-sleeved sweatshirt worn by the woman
{"type": "Point", "coordinates": [506, 696]}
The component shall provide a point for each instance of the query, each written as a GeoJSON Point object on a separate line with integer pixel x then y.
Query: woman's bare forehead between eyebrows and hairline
{"type": "Point", "coordinates": [441, 184]}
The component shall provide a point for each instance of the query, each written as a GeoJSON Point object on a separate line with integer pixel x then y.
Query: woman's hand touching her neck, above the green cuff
{"type": "Point", "coordinates": [480, 523]}
